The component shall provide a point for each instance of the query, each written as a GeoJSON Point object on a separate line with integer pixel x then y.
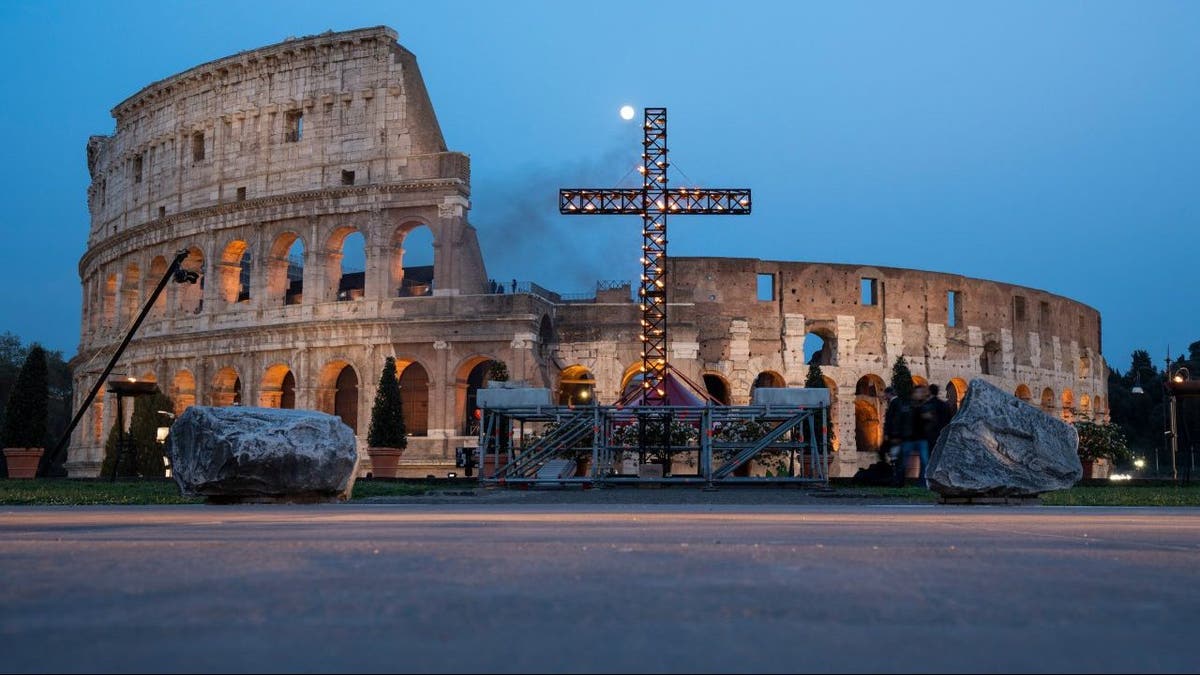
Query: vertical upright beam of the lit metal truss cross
{"type": "Point", "coordinates": [653, 292]}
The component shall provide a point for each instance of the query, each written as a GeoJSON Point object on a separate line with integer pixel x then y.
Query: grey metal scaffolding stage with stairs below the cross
{"type": "Point", "coordinates": [611, 445]}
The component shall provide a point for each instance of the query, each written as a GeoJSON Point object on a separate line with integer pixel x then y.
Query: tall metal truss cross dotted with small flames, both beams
{"type": "Point", "coordinates": [653, 202]}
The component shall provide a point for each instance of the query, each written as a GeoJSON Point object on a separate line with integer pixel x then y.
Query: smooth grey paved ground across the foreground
{"type": "Point", "coordinates": [599, 587]}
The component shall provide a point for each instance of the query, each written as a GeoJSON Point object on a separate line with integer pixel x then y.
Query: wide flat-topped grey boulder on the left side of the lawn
{"type": "Point", "coordinates": [262, 455]}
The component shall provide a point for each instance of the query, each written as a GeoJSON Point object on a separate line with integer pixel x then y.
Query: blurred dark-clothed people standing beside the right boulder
{"type": "Point", "coordinates": [911, 427]}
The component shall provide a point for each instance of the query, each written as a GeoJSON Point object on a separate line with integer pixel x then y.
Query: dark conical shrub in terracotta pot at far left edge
{"type": "Point", "coordinates": [25, 421]}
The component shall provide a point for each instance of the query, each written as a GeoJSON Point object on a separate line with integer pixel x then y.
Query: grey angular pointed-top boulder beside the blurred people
{"type": "Point", "coordinates": [1000, 446]}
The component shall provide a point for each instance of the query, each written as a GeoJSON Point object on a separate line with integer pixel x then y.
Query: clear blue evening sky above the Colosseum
{"type": "Point", "coordinates": [1048, 145]}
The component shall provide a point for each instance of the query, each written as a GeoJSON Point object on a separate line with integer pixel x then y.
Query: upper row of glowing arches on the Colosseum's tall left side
{"type": "Point", "coordinates": [278, 274]}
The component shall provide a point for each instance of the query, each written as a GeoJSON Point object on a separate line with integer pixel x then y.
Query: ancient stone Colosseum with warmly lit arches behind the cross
{"type": "Point", "coordinates": [277, 169]}
